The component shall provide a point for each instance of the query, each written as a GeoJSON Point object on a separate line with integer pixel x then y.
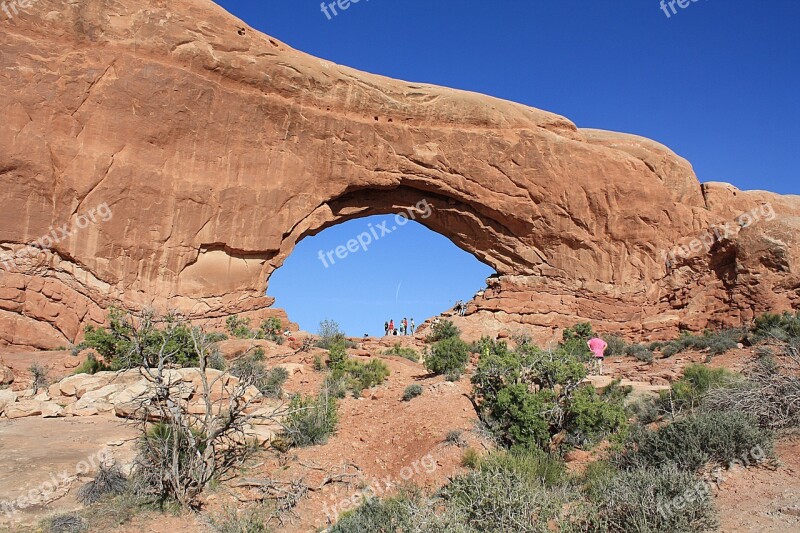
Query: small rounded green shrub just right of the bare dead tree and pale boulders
{"type": "Point", "coordinates": [311, 420]}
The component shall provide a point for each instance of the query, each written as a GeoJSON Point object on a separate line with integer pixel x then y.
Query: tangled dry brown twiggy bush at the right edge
{"type": "Point", "coordinates": [770, 393]}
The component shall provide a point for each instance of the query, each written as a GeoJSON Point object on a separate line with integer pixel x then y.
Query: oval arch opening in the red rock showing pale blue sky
{"type": "Point", "coordinates": [410, 272]}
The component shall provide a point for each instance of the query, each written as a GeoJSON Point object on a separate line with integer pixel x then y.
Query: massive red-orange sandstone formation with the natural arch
{"type": "Point", "coordinates": [185, 154]}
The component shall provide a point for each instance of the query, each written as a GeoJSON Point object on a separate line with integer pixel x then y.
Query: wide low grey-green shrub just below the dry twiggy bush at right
{"type": "Point", "coordinates": [697, 440]}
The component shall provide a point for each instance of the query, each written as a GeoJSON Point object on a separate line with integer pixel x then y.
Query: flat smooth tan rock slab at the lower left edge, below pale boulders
{"type": "Point", "coordinates": [42, 453]}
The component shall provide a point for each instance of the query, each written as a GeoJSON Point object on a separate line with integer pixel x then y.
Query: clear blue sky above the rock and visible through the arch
{"type": "Point", "coordinates": [718, 82]}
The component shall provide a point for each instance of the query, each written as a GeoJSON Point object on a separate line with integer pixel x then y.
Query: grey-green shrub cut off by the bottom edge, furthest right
{"type": "Point", "coordinates": [642, 500]}
